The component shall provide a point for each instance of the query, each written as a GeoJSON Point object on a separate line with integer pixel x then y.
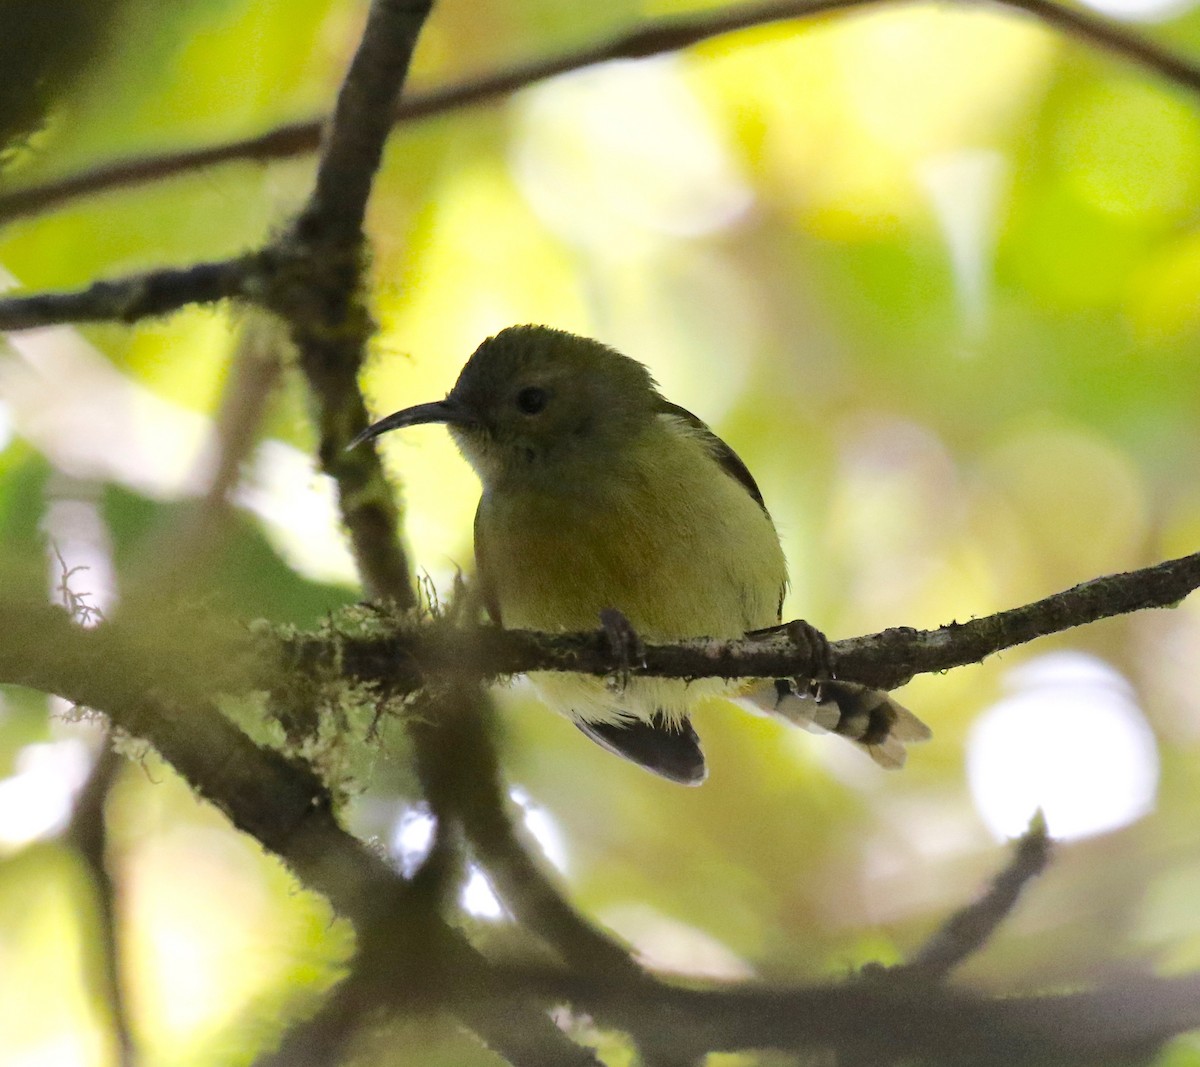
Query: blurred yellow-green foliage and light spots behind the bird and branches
{"type": "Point", "coordinates": [934, 273]}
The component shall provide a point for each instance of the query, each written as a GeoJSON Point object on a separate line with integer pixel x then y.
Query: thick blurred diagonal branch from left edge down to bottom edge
{"type": "Point", "coordinates": [155, 696]}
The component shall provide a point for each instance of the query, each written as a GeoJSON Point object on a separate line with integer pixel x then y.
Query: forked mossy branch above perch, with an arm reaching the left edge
{"type": "Point", "coordinates": [313, 279]}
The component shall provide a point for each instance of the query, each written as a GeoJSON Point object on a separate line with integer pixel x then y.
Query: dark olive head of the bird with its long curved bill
{"type": "Point", "coordinates": [533, 401]}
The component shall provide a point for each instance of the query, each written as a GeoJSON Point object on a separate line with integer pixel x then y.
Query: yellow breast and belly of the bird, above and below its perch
{"type": "Point", "coordinates": [670, 541]}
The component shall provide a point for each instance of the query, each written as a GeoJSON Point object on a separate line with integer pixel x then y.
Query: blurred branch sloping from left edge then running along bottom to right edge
{"type": "Point", "coordinates": [416, 961]}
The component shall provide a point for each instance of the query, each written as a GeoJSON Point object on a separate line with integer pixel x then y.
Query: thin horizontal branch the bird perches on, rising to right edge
{"type": "Point", "coordinates": [405, 661]}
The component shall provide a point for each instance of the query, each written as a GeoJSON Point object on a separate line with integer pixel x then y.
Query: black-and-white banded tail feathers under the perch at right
{"type": "Point", "coordinates": [867, 717]}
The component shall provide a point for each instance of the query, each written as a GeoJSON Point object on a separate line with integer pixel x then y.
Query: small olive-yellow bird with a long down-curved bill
{"type": "Point", "coordinates": [604, 500]}
